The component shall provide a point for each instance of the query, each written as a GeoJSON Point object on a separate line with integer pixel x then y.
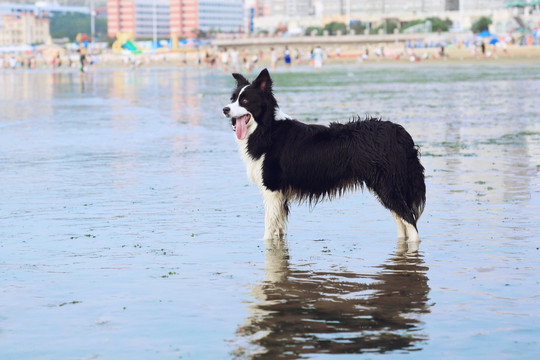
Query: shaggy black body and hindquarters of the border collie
{"type": "Point", "coordinates": [313, 162]}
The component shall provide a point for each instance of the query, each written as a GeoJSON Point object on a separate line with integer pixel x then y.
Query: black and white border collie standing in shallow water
{"type": "Point", "coordinates": [289, 160]}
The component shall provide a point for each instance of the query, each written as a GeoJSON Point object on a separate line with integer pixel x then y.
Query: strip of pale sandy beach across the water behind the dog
{"type": "Point", "coordinates": [203, 57]}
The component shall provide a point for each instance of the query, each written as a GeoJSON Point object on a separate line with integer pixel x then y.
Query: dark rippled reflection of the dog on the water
{"type": "Point", "coordinates": [301, 312]}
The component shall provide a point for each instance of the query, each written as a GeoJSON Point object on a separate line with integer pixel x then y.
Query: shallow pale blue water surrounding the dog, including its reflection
{"type": "Point", "coordinates": [128, 228]}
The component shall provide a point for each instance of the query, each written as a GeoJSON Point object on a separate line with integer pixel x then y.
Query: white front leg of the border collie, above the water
{"type": "Point", "coordinates": [275, 214]}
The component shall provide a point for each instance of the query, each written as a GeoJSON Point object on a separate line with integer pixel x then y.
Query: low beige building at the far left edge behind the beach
{"type": "Point", "coordinates": [24, 28]}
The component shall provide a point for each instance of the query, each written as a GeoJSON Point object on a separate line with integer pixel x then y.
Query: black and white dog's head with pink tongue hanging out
{"type": "Point", "coordinates": [252, 105]}
